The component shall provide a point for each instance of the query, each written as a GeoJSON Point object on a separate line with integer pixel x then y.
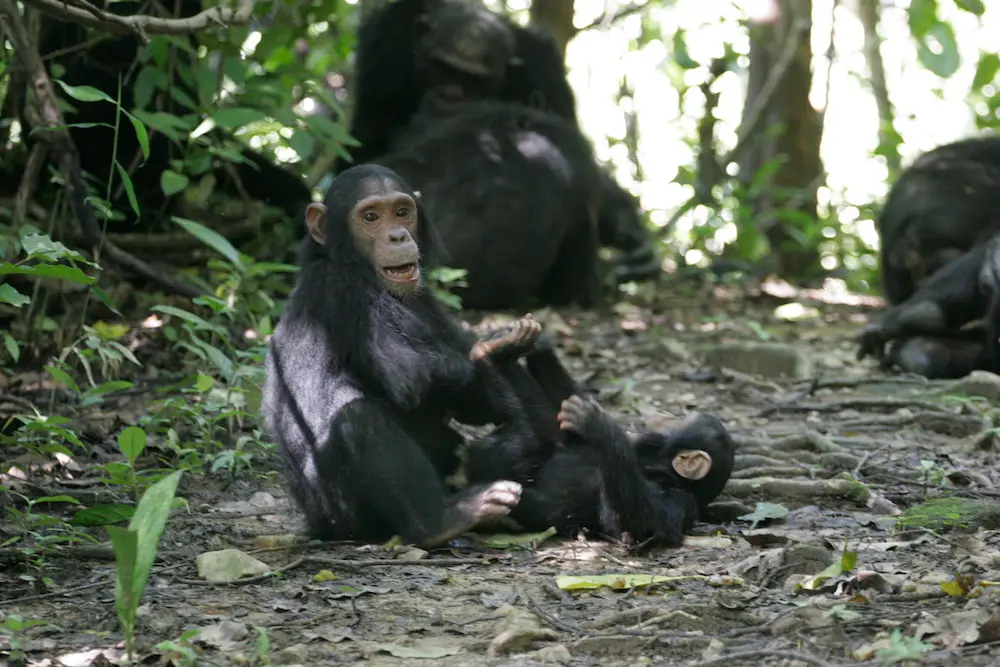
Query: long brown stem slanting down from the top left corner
{"type": "Point", "coordinates": [67, 155]}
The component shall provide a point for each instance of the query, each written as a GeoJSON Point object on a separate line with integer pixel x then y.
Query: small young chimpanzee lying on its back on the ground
{"type": "Point", "coordinates": [653, 487]}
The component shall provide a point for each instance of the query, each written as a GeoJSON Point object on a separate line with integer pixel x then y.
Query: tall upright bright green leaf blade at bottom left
{"type": "Point", "coordinates": [135, 550]}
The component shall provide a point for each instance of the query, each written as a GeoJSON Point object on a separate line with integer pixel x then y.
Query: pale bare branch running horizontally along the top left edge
{"type": "Point", "coordinates": [141, 24]}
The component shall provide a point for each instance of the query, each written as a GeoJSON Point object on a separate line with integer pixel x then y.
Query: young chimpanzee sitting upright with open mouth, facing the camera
{"type": "Point", "coordinates": [365, 367]}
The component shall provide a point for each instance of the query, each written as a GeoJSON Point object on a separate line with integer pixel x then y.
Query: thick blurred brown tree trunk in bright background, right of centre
{"type": "Point", "coordinates": [789, 129]}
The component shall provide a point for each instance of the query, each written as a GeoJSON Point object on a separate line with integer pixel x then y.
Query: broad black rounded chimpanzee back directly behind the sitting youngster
{"type": "Point", "coordinates": [514, 198]}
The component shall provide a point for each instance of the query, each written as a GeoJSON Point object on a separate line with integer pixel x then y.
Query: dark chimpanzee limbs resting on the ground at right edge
{"type": "Point", "coordinates": [949, 326]}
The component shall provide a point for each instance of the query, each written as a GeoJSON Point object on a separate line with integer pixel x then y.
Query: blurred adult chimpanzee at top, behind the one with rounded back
{"type": "Point", "coordinates": [465, 48]}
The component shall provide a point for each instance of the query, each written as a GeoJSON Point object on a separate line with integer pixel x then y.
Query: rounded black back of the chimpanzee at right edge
{"type": "Point", "coordinates": [942, 205]}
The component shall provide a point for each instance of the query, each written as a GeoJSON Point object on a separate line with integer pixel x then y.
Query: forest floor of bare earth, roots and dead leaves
{"type": "Point", "coordinates": [824, 574]}
